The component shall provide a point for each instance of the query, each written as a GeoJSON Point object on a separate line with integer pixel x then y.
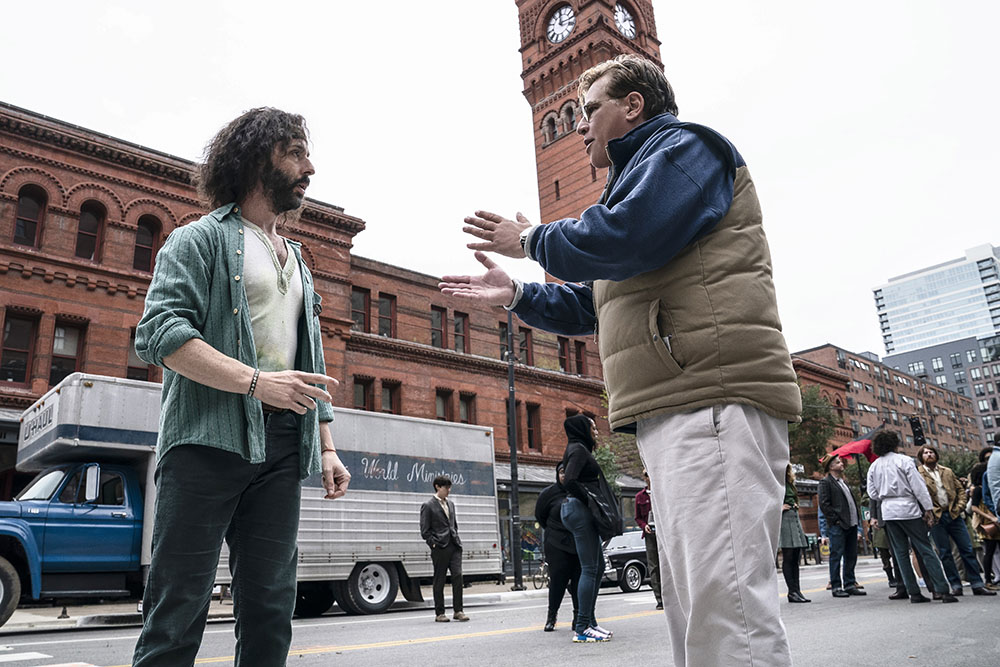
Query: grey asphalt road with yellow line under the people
{"type": "Point", "coordinates": [869, 630]}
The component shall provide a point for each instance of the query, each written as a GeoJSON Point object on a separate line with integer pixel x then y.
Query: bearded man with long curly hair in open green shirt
{"type": "Point", "coordinates": [233, 318]}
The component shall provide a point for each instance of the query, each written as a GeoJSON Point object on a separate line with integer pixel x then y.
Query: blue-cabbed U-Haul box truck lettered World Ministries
{"type": "Point", "coordinates": [78, 529]}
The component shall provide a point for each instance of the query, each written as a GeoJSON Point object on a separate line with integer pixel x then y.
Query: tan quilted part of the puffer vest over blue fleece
{"type": "Point", "coordinates": [702, 330]}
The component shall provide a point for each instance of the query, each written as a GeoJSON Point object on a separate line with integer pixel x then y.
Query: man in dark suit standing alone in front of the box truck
{"type": "Point", "coordinates": [439, 528]}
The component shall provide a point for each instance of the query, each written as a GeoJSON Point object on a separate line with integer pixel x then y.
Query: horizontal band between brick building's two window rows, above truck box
{"type": "Point", "coordinates": [425, 354]}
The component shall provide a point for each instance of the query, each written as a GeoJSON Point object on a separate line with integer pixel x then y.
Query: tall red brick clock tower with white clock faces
{"type": "Point", "coordinates": [560, 39]}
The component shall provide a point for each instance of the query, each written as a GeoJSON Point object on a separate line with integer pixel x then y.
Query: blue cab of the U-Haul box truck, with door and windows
{"type": "Point", "coordinates": [74, 531]}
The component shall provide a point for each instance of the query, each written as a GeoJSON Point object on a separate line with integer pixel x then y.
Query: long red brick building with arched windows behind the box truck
{"type": "Point", "coordinates": [82, 215]}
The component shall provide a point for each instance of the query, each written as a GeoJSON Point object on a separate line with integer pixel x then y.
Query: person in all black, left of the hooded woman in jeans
{"type": "Point", "coordinates": [560, 548]}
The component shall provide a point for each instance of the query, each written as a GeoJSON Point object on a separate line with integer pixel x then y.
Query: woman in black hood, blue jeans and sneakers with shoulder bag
{"type": "Point", "coordinates": [582, 471]}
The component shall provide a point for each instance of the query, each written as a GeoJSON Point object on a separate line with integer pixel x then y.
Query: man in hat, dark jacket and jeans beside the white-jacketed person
{"type": "Point", "coordinates": [841, 511]}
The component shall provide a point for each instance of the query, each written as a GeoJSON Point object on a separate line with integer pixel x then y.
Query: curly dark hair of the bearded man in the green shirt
{"type": "Point", "coordinates": [240, 154]}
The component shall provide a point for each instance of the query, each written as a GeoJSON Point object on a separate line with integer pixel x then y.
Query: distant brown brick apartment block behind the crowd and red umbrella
{"type": "Point", "coordinates": [879, 394]}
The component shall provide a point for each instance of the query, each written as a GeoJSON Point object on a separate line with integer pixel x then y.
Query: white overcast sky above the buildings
{"type": "Point", "coordinates": [869, 126]}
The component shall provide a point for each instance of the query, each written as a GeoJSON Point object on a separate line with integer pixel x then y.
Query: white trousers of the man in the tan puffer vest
{"type": "Point", "coordinates": [717, 478]}
